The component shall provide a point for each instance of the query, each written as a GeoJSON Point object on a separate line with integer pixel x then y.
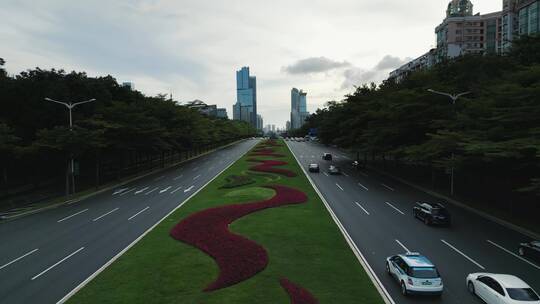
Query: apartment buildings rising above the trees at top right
{"type": "Point", "coordinates": [463, 32]}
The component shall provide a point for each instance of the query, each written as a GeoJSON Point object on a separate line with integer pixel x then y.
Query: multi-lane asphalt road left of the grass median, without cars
{"type": "Point", "coordinates": [46, 255]}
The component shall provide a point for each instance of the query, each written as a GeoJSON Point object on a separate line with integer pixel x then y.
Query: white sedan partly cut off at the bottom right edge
{"type": "Point", "coordinates": [501, 289]}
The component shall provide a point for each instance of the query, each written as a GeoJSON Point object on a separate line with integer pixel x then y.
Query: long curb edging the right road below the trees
{"type": "Point", "coordinates": [524, 231]}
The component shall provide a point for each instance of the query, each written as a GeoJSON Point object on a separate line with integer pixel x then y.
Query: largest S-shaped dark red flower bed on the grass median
{"type": "Point", "coordinates": [238, 258]}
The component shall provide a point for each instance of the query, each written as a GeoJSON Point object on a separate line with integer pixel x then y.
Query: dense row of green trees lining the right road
{"type": "Point", "coordinates": [494, 132]}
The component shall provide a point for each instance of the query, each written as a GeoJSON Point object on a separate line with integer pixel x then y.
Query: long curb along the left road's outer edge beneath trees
{"type": "Point", "coordinates": [120, 184]}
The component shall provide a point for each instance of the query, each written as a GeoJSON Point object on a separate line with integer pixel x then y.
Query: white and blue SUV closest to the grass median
{"type": "Point", "coordinates": [415, 274]}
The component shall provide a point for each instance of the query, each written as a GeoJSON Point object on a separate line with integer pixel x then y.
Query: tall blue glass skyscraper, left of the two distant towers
{"type": "Point", "coordinates": [246, 97]}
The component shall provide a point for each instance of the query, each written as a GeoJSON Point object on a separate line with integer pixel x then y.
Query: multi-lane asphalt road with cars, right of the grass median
{"type": "Point", "coordinates": [376, 211]}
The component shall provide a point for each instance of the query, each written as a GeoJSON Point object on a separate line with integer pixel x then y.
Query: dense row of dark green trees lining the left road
{"type": "Point", "coordinates": [122, 128]}
